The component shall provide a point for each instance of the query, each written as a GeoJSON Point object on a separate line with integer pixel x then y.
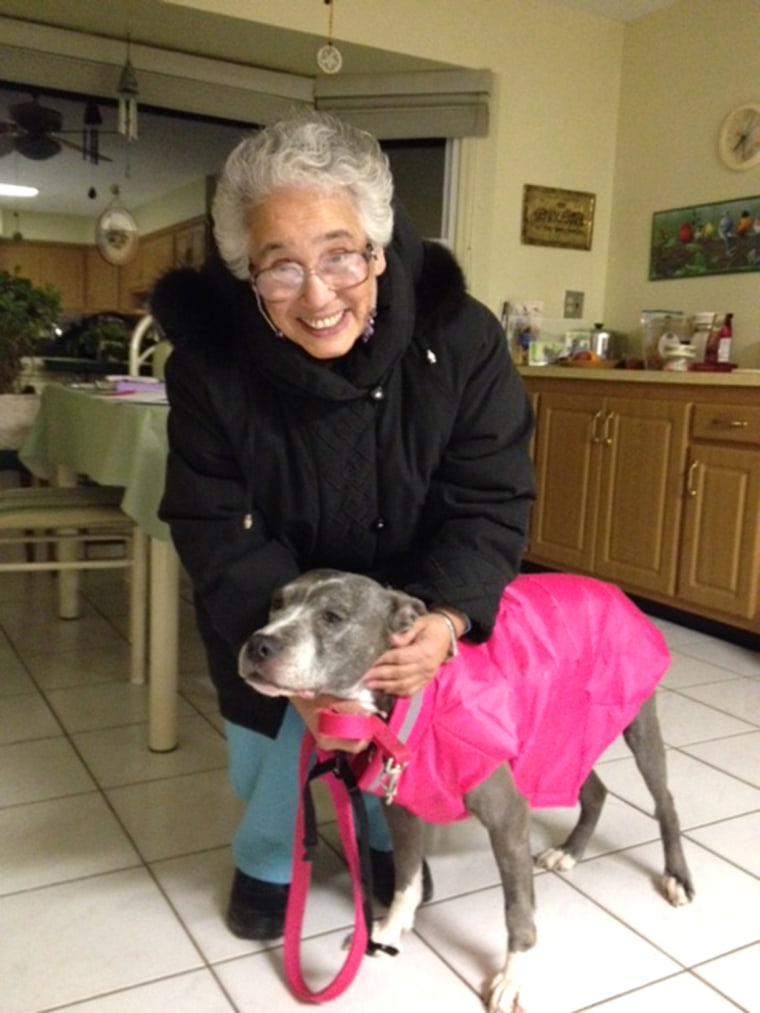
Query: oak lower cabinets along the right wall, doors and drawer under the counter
{"type": "Point", "coordinates": [654, 486]}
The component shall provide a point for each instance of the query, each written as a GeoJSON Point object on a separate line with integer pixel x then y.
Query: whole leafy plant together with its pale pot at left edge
{"type": "Point", "coordinates": [27, 315]}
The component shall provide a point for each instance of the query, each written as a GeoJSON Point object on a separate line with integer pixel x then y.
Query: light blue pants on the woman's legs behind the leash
{"type": "Point", "coordinates": [264, 773]}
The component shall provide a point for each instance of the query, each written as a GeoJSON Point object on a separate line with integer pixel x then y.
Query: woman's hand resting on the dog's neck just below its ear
{"type": "Point", "coordinates": [414, 658]}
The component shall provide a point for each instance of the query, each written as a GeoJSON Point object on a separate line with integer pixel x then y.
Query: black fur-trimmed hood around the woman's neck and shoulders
{"type": "Point", "coordinates": [422, 290]}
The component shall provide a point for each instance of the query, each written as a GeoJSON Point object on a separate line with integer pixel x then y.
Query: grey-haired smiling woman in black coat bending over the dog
{"type": "Point", "coordinates": [337, 400]}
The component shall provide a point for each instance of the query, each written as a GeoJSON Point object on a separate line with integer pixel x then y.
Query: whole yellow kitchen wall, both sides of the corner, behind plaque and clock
{"type": "Point", "coordinates": [630, 113]}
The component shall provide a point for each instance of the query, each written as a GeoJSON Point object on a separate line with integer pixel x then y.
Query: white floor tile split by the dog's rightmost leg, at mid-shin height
{"type": "Point", "coordinates": [703, 795]}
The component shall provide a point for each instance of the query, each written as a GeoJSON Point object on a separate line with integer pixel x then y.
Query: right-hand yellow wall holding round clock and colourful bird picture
{"type": "Point", "coordinates": [685, 69]}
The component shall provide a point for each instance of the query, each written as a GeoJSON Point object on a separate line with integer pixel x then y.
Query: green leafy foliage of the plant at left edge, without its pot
{"type": "Point", "coordinates": [27, 315]}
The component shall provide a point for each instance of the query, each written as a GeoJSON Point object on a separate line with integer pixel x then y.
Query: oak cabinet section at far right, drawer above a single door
{"type": "Point", "coordinates": [720, 565]}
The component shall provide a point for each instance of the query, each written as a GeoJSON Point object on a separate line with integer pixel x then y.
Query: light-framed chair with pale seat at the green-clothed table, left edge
{"type": "Point", "coordinates": [71, 517]}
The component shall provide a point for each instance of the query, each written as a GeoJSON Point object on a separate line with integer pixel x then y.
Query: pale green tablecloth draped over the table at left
{"type": "Point", "coordinates": [116, 441]}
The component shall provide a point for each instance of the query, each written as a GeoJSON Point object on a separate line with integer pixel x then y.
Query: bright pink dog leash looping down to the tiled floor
{"type": "Point", "coordinates": [342, 786]}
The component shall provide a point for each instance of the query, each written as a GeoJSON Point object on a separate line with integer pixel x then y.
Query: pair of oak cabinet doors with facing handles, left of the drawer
{"type": "Point", "coordinates": [610, 474]}
